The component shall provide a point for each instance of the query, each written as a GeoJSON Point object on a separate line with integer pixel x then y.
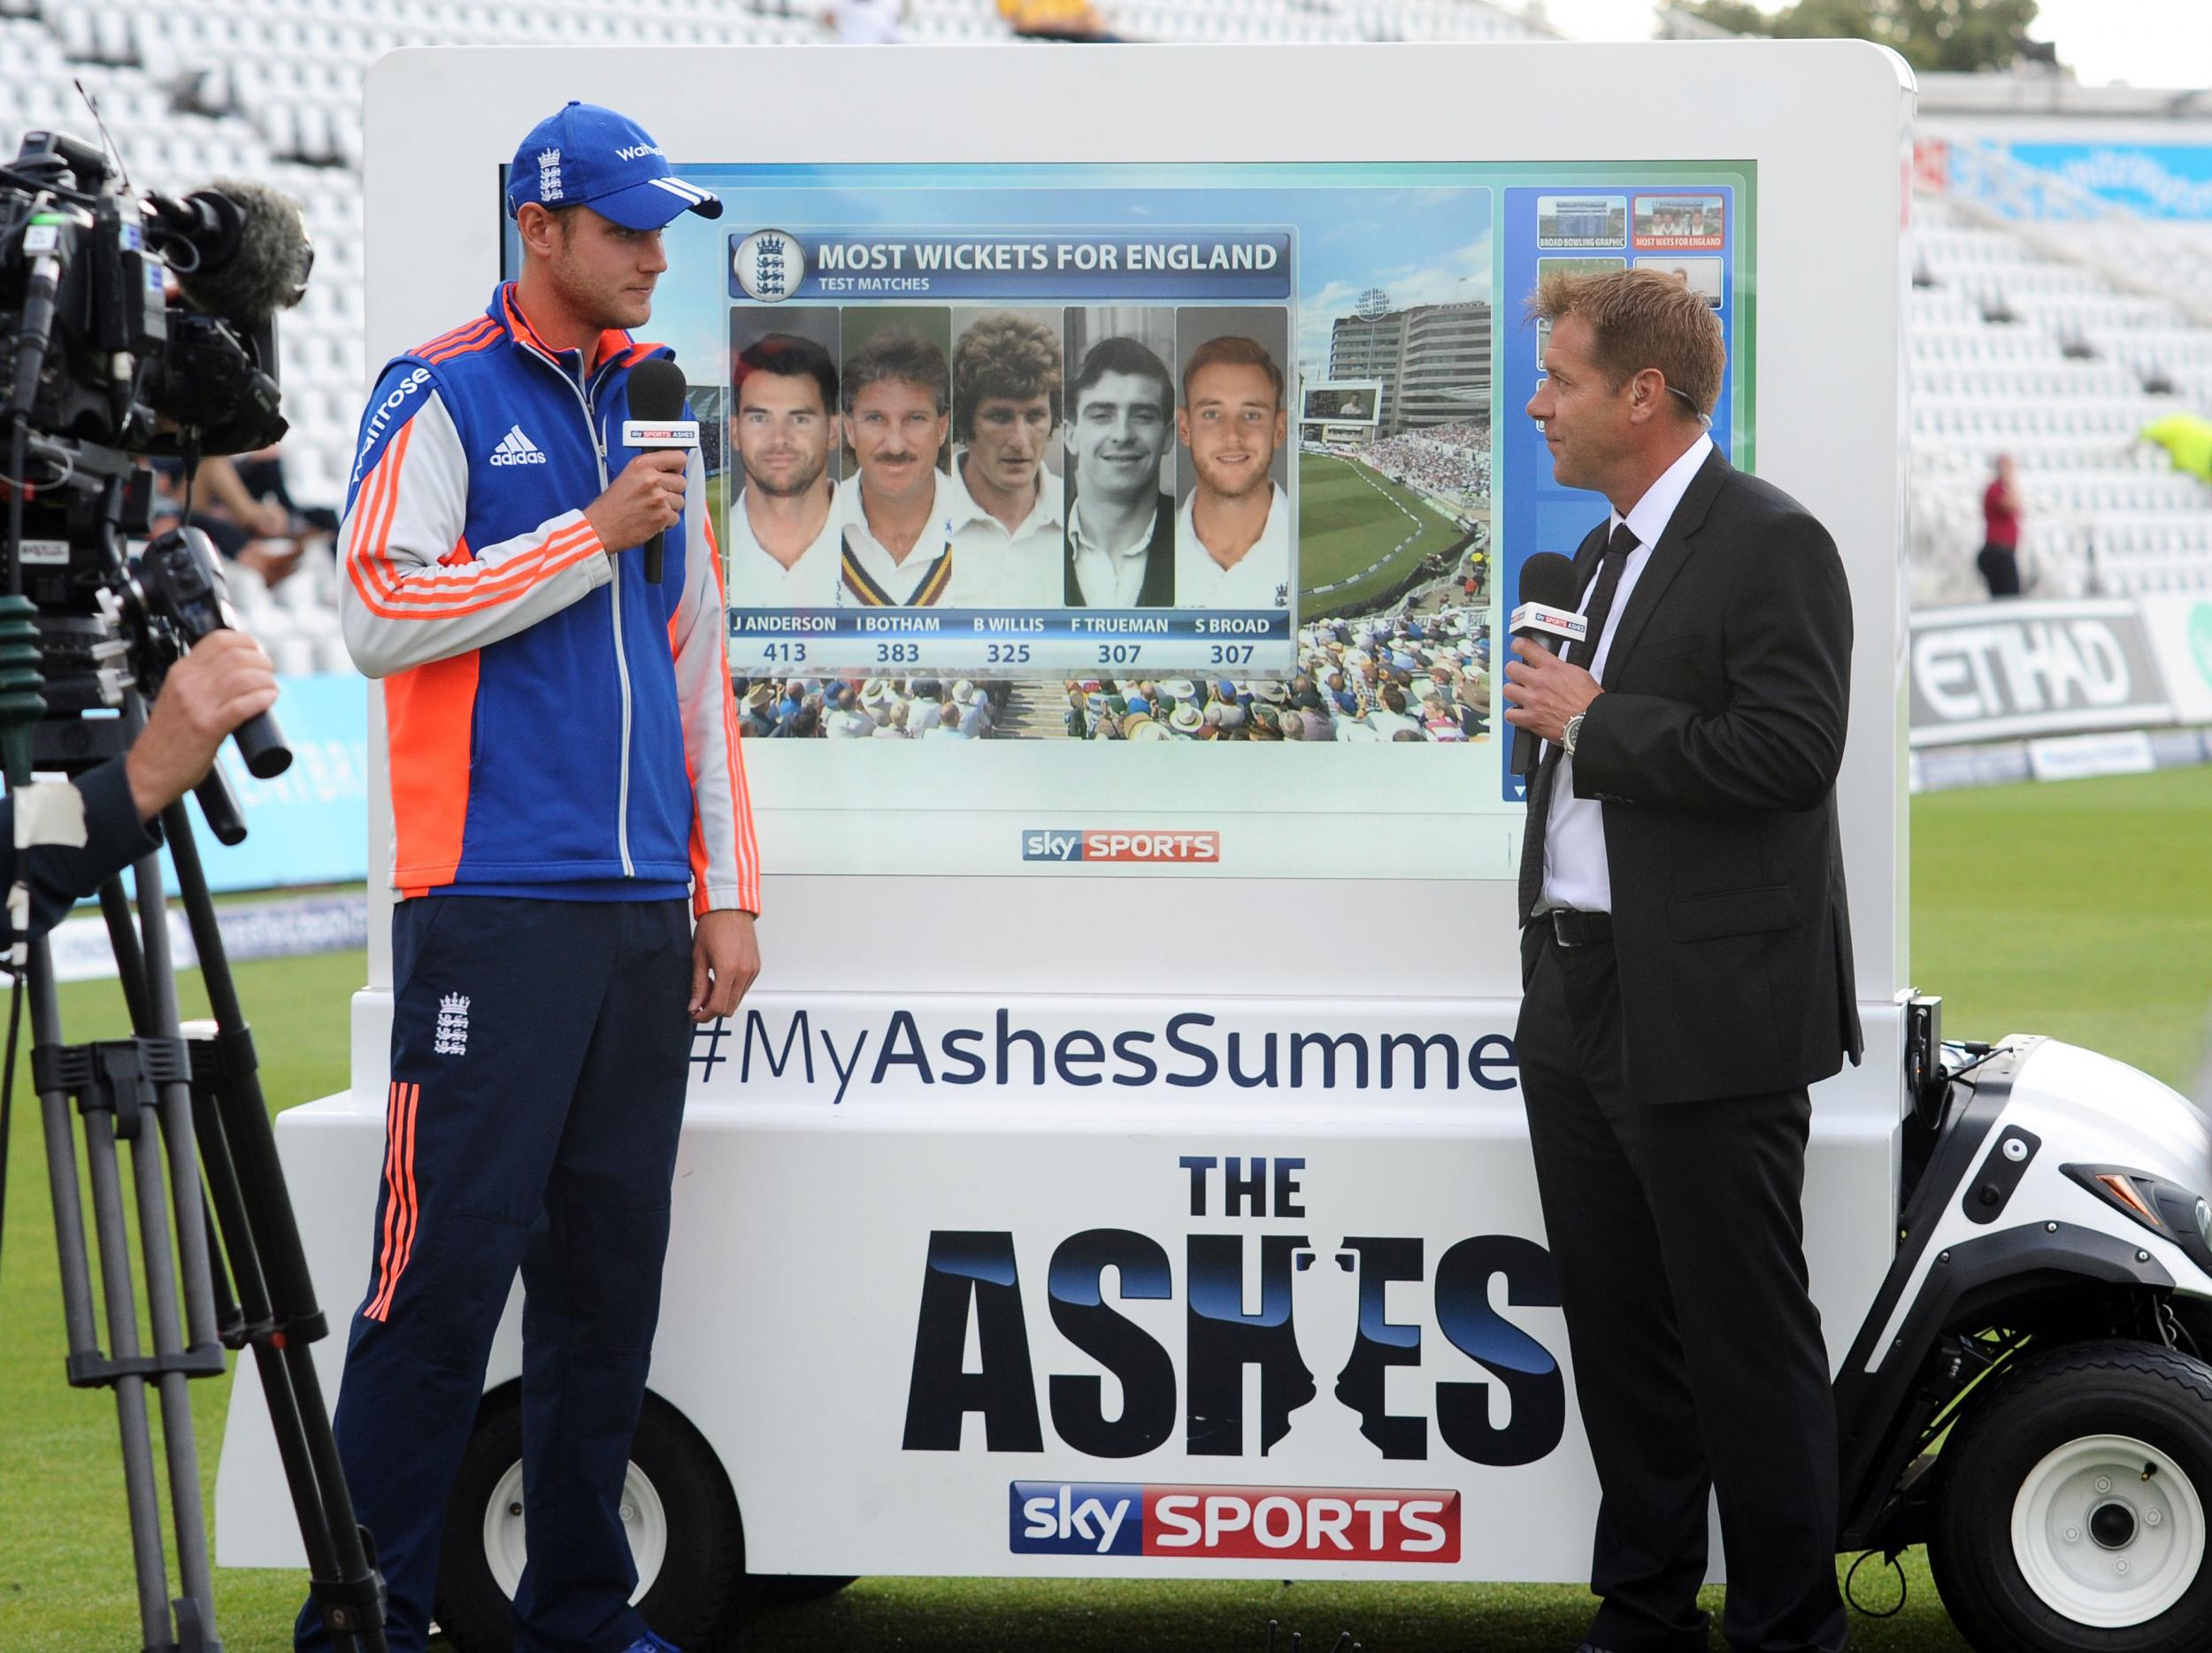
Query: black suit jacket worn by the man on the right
{"type": "Point", "coordinates": [1715, 753]}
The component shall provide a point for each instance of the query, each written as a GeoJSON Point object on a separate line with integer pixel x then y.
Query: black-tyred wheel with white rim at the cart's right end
{"type": "Point", "coordinates": [2074, 1501]}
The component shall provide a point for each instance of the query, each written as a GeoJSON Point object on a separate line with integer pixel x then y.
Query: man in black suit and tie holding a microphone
{"type": "Point", "coordinates": [1687, 966]}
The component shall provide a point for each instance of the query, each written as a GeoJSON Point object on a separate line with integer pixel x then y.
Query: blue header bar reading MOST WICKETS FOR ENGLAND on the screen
{"type": "Point", "coordinates": [773, 267]}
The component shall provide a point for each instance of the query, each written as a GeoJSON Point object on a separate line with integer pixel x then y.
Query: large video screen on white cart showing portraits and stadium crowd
{"type": "Point", "coordinates": [963, 490]}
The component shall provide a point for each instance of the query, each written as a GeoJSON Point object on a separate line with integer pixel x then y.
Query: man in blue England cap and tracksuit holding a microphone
{"type": "Point", "coordinates": [576, 882]}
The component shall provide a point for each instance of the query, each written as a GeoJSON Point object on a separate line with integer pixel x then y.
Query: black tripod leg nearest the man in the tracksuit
{"type": "Point", "coordinates": [271, 1265]}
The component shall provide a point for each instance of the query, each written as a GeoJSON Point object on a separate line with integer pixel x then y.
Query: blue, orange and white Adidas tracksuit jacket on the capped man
{"type": "Point", "coordinates": [556, 725]}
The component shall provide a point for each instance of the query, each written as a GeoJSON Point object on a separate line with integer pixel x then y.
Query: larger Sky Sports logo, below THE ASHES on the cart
{"type": "Point", "coordinates": [1233, 1524]}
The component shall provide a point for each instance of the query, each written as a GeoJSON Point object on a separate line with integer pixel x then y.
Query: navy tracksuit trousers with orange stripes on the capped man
{"type": "Point", "coordinates": [539, 1070]}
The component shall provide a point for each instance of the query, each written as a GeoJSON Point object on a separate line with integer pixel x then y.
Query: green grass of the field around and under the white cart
{"type": "Point", "coordinates": [2076, 911]}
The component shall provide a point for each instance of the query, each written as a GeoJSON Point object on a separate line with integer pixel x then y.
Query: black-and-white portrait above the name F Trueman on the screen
{"type": "Point", "coordinates": [1120, 550]}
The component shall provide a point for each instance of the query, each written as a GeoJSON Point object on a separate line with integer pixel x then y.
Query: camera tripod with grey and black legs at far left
{"type": "Point", "coordinates": [231, 1260]}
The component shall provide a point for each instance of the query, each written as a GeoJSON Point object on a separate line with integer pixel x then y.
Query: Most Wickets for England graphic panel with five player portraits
{"type": "Point", "coordinates": [959, 541]}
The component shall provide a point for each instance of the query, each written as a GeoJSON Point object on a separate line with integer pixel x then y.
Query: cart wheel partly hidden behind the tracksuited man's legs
{"type": "Point", "coordinates": [678, 1510]}
